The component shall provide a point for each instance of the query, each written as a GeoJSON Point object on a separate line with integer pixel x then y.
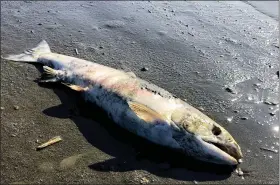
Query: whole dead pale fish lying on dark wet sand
{"type": "Point", "coordinates": [159, 117]}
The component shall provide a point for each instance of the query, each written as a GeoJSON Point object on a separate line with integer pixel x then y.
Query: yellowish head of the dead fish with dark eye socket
{"type": "Point", "coordinates": [202, 138]}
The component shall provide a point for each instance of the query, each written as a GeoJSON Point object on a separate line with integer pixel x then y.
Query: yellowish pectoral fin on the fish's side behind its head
{"type": "Point", "coordinates": [145, 113]}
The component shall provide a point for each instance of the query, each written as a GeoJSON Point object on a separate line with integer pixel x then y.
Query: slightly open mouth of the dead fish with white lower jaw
{"type": "Point", "coordinates": [228, 154]}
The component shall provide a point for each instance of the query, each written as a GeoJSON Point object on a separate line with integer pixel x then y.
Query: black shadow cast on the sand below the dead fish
{"type": "Point", "coordinates": [130, 151]}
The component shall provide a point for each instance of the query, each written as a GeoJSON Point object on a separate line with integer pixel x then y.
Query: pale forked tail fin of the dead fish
{"type": "Point", "coordinates": [30, 55]}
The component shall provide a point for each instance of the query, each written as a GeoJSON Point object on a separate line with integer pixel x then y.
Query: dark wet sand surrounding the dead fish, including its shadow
{"type": "Point", "coordinates": [193, 49]}
